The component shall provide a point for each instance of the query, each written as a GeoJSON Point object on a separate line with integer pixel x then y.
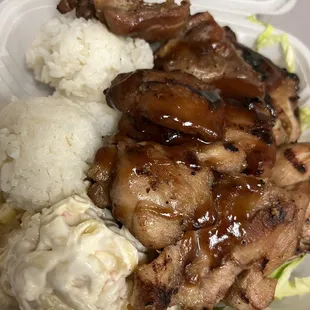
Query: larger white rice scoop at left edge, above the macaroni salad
{"type": "Point", "coordinates": [46, 145]}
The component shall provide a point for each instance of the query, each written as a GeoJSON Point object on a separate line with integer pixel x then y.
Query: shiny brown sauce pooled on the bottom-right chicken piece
{"type": "Point", "coordinates": [235, 200]}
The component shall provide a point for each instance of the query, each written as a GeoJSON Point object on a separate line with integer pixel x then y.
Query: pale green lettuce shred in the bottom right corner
{"type": "Point", "coordinates": [293, 287]}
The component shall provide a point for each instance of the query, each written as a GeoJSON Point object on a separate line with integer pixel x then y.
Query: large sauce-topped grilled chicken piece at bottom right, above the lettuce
{"type": "Point", "coordinates": [255, 232]}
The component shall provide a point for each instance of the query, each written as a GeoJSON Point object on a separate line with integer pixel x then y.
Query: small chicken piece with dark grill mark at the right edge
{"type": "Point", "coordinates": [292, 165]}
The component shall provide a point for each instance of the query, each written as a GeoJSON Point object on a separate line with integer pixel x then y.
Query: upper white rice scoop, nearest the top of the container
{"type": "Point", "coordinates": [80, 58]}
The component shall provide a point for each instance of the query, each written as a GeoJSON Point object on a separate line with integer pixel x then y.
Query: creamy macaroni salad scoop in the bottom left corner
{"type": "Point", "coordinates": [70, 256]}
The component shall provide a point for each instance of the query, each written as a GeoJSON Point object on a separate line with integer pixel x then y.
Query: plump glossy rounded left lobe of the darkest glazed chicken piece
{"type": "Point", "coordinates": [169, 103]}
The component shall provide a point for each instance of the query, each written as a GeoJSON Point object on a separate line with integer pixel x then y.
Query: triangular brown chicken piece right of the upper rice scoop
{"type": "Point", "coordinates": [205, 52]}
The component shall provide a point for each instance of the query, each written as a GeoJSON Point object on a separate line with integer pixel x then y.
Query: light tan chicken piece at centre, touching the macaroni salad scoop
{"type": "Point", "coordinates": [159, 192]}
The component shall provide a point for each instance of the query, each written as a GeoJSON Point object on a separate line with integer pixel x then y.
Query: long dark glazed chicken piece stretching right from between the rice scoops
{"type": "Point", "coordinates": [176, 108]}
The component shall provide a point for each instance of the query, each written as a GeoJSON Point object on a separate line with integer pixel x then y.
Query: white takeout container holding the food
{"type": "Point", "coordinates": [20, 20]}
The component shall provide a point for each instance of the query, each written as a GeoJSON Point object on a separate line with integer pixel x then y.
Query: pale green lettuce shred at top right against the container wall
{"type": "Point", "coordinates": [267, 38]}
